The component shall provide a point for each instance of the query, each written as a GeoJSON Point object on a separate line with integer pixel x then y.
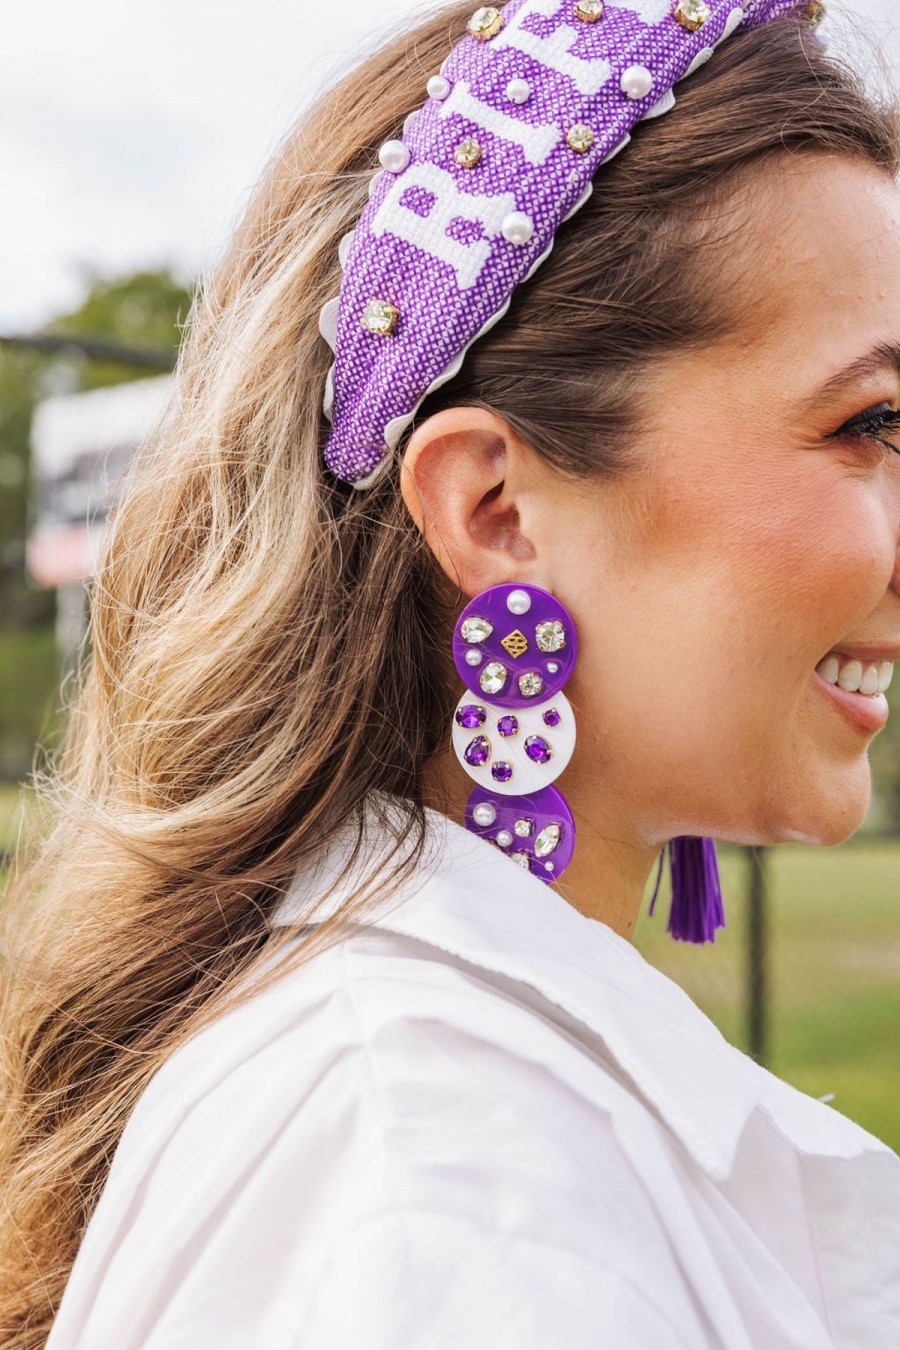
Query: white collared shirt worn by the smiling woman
{"type": "Point", "coordinates": [481, 1123]}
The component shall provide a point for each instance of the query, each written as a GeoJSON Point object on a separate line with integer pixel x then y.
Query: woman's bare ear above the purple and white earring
{"type": "Point", "coordinates": [466, 479]}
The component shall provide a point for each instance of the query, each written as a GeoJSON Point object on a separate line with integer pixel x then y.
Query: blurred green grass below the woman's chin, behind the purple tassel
{"type": "Point", "coordinates": [833, 936]}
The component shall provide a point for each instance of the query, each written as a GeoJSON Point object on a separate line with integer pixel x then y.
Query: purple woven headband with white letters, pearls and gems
{"type": "Point", "coordinates": [465, 209]}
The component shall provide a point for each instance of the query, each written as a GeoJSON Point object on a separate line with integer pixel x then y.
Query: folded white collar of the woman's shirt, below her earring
{"type": "Point", "coordinates": [472, 901]}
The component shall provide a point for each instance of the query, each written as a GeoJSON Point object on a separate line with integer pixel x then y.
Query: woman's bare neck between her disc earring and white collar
{"type": "Point", "coordinates": [609, 873]}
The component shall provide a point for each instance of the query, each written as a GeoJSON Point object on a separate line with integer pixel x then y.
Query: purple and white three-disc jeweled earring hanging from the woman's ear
{"type": "Point", "coordinates": [513, 732]}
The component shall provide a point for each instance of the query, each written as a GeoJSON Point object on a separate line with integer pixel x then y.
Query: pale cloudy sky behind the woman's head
{"type": "Point", "coordinates": [133, 134]}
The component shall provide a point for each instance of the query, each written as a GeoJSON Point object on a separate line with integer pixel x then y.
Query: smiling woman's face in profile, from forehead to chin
{"type": "Point", "coordinates": [709, 587]}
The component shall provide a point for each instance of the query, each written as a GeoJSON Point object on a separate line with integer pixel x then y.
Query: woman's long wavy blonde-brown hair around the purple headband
{"type": "Point", "coordinates": [268, 647]}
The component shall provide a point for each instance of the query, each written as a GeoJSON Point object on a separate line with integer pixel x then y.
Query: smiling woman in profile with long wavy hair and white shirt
{"type": "Point", "coordinates": [381, 1087]}
